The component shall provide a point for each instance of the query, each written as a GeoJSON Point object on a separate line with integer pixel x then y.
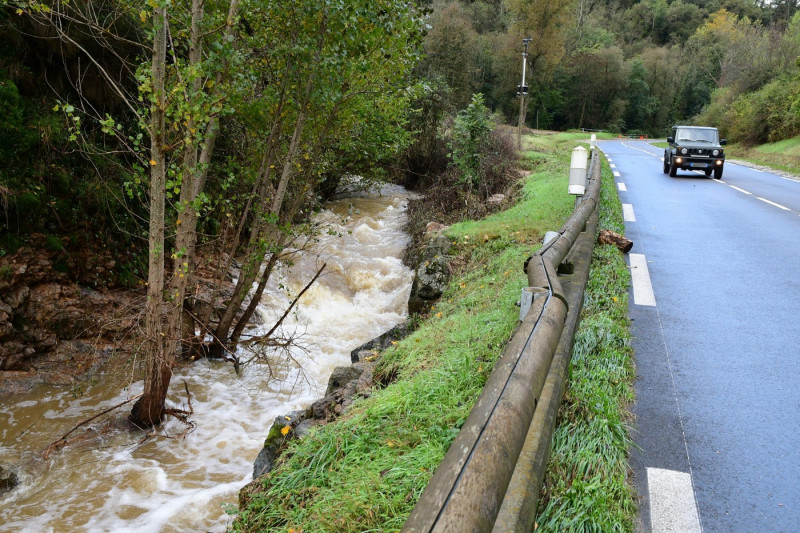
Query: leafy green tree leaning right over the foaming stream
{"type": "Point", "coordinates": [331, 98]}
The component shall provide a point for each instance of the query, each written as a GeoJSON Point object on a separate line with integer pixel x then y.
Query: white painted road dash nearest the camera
{"type": "Point", "coordinates": [672, 504]}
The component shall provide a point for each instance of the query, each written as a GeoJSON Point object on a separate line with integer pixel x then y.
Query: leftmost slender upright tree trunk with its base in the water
{"type": "Point", "coordinates": [149, 409]}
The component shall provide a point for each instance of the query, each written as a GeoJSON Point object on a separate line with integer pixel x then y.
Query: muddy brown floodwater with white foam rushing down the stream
{"type": "Point", "coordinates": [113, 483]}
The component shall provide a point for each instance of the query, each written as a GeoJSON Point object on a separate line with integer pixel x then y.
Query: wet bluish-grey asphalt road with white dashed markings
{"type": "Point", "coordinates": [717, 344]}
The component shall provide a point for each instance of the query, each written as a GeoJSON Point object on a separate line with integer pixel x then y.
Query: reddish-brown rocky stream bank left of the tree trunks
{"type": "Point", "coordinates": [53, 328]}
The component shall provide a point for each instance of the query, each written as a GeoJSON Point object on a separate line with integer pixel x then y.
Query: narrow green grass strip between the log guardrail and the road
{"type": "Point", "coordinates": [586, 487]}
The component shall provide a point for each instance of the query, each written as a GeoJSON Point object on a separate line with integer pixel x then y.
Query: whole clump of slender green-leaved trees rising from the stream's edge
{"type": "Point", "coordinates": [320, 75]}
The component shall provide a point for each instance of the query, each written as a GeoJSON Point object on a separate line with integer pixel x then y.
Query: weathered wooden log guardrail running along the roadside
{"type": "Point", "coordinates": [490, 477]}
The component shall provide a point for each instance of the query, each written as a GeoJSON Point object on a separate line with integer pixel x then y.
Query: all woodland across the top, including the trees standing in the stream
{"type": "Point", "coordinates": [156, 132]}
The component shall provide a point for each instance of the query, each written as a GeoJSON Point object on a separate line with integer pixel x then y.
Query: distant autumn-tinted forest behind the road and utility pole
{"type": "Point", "coordinates": [625, 66]}
